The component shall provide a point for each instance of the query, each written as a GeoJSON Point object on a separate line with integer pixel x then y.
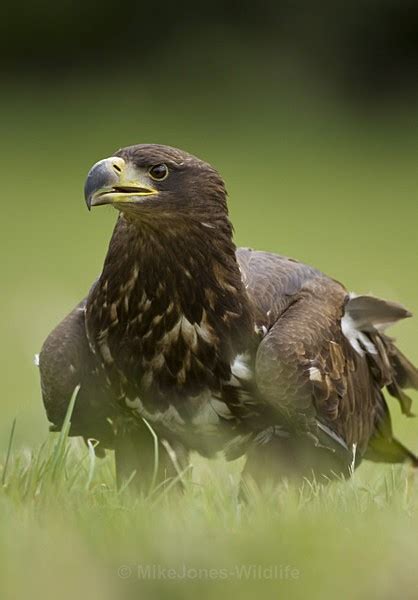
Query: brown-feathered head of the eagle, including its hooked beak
{"type": "Point", "coordinates": [149, 180]}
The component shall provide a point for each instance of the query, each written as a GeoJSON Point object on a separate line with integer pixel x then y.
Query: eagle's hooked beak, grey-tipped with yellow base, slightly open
{"type": "Point", "coordinates": [113, 181]}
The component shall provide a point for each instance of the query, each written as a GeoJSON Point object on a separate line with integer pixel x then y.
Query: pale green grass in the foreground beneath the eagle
{"type": "Point", "coordinates": [67, 532]}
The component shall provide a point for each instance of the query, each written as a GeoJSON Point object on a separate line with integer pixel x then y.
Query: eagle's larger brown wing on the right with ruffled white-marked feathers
{"type": "Point", "coordinates": [323, 359]}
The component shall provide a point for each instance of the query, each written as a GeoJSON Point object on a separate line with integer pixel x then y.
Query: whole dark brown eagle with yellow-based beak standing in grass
{"type": "Point", "coordinates": [189, 341]}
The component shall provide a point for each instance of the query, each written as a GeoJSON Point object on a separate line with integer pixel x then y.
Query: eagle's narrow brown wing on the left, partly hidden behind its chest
{"type": "Point", "coordinates": [65, 362]}
